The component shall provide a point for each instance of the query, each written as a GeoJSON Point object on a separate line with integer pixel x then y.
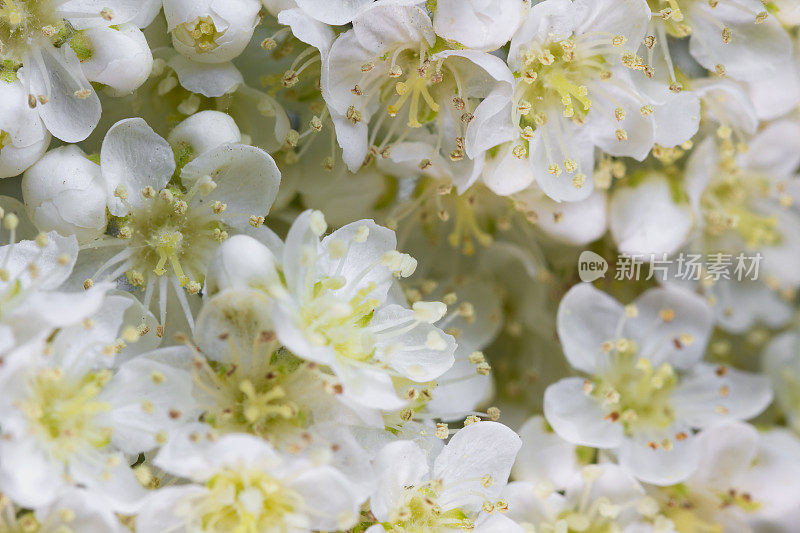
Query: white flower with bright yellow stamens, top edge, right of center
{"type": "Point", "coordinates": [577, 87]}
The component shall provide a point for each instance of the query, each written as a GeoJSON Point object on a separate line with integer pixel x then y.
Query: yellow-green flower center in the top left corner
{"type": "Point", "coordinates": [24, 21]}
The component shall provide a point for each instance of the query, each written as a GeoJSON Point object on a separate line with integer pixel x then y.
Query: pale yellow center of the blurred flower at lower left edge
{"type": "Point", "coordinates": [62, 410]}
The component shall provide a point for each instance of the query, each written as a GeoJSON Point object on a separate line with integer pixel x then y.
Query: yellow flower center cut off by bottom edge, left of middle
{"type": "Point", "coordinates": [247, 500]}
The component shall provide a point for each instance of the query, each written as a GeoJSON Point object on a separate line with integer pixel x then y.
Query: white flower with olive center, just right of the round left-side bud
{"type": "Point", "coordinates": [167, 231]}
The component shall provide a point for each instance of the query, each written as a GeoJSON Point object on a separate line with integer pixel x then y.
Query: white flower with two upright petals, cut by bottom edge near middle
{"type": "Point", "coordinates": [461, 490]}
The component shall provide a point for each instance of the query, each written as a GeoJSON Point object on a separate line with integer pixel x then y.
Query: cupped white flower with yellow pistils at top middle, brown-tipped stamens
{"type": "Point", "coordinates": [385, 78]}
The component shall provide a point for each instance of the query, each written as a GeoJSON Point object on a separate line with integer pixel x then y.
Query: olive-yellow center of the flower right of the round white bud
{"type": "Point", "coordinates": [168, 232]}
